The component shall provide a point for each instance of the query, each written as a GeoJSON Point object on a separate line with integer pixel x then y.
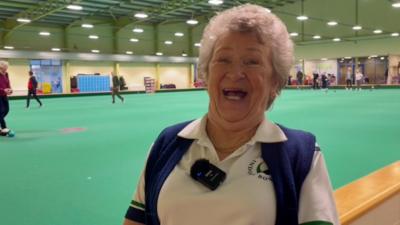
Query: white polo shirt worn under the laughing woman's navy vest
{"type": "Point", "coordinates": [247, 196]}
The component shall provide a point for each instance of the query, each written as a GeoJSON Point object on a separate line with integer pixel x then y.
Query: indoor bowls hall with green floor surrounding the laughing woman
{"type": "Point", "coordinates": [110, 75]}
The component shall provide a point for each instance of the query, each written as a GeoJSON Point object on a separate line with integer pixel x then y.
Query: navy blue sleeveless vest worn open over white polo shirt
{"type": "Point", "coordinates": [288, 163]}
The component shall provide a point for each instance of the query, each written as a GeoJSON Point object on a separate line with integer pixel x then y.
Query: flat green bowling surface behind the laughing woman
{"type": "Point", "coordinates": [76, 161]}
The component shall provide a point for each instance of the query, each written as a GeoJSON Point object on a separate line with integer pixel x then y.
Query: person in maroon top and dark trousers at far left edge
{"type": "Point", "coordinates": [5, 90]}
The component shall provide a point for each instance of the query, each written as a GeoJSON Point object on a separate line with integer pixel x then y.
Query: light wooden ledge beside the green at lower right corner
{"type": "Point", "coordinates": [360, 196]}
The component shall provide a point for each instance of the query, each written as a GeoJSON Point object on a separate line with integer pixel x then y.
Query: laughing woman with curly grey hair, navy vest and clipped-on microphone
{"type": "Point", "coordinates": [234, 166]}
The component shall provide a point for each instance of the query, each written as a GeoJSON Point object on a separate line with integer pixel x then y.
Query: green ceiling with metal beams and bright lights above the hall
{"type": "Point", "coordinates": [370, 14]}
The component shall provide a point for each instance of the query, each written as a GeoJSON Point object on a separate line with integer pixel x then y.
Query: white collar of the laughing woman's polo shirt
{"type": "Point", "coordinates": [267, 132]}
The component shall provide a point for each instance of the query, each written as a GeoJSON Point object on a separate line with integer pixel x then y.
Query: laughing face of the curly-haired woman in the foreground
{"type": "Point", "coordinates": [240, 80]}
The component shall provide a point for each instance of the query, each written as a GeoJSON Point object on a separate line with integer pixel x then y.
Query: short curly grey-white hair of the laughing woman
{"type": "Point", "coordinates": [250, 18]}
